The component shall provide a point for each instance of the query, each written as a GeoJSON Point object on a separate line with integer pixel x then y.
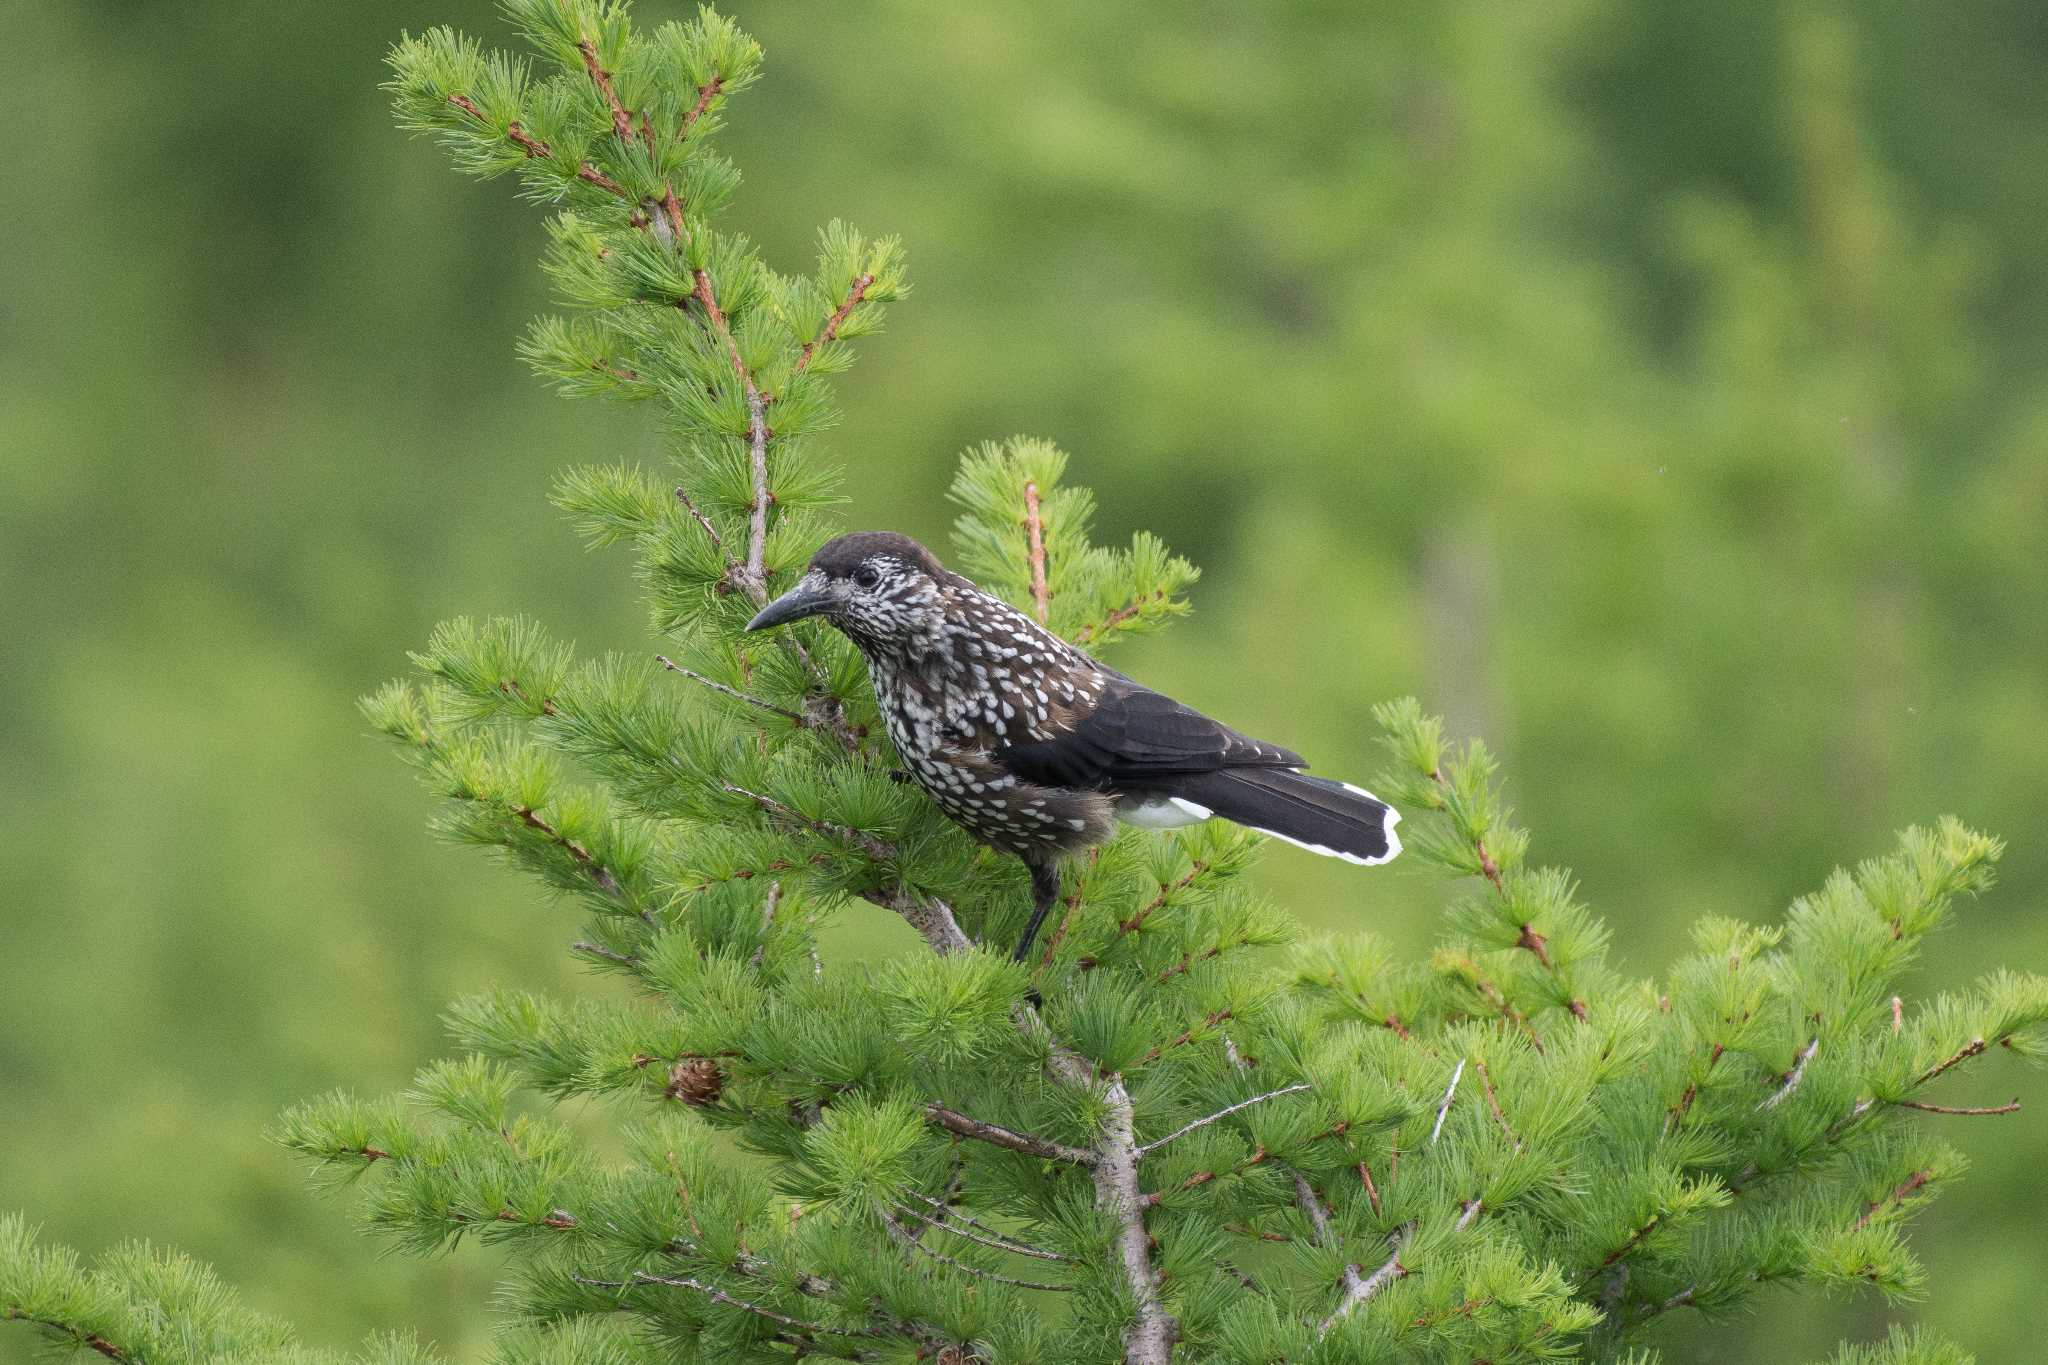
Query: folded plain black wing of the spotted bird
{"type": "Point", "coordinates": [1138, 738]}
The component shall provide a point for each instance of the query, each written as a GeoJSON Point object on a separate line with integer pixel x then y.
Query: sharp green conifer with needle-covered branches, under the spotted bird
{"type": "Point", "coordinates": [1181, 1131]}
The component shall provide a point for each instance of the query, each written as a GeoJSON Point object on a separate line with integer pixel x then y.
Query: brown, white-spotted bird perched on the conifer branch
{"type": "Point", "coordinates": [1035, 748]}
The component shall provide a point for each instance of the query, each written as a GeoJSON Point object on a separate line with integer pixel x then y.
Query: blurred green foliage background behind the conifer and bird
{"type": "Point", "coordinates": [1658, 390]}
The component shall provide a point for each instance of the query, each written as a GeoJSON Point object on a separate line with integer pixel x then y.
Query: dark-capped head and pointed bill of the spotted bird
{"type": "Point", "coordinates": [880, 588]}
